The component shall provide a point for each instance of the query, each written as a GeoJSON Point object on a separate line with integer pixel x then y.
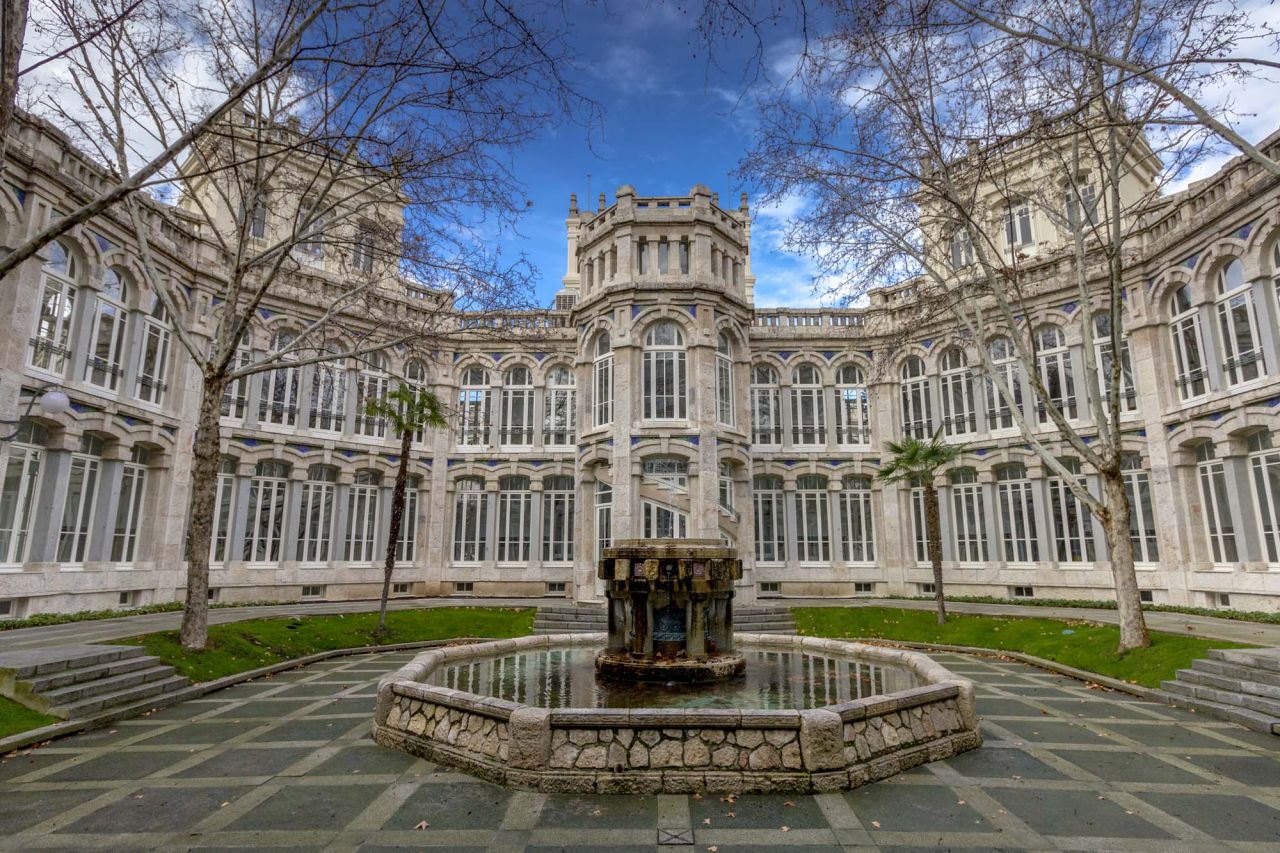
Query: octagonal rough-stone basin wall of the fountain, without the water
{"type": "Point", "coordinates": [679, 750]}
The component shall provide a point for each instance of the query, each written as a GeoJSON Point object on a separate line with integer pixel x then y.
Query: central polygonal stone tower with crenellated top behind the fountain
{"type": "Point", "coordinates": [661, 295]}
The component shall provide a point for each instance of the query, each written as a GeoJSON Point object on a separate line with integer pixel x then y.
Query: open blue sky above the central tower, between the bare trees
{"type": "Point", "coordinates": [671, 122]}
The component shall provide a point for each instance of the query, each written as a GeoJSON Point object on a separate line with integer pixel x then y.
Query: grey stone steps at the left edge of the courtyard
{"type": "Point", "coordinates": [81, 682]}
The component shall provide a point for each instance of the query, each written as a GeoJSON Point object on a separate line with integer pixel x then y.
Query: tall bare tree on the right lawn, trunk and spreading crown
{"type": "Point", "coordinates": [929, 143]}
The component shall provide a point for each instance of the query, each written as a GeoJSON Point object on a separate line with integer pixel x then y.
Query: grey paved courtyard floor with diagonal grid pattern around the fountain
{"type": "Point", "coordinates": [287, 763]}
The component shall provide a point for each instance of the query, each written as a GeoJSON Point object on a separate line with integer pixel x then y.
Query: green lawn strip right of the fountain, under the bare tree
{"type": "Point", "coordinates": [1085, 646]}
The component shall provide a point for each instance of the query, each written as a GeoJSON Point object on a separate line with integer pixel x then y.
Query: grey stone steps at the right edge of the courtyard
{"type": "Point", "coordinates": [1242, 686]}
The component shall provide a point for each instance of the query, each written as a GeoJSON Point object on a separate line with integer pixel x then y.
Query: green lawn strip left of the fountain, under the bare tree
{"type": "Point", "coordinates": [246, 646]}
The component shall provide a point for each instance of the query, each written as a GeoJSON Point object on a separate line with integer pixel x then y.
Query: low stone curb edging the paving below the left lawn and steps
{"type": "Point", "coordinates": [203, 688]}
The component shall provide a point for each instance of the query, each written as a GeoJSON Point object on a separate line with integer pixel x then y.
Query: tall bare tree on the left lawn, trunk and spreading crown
{"type": "Point", "coordinates": [339, 156]}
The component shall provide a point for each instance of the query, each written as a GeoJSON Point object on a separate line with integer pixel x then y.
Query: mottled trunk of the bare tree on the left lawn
{"type": "Point", "coordinates": [200, 532]}
